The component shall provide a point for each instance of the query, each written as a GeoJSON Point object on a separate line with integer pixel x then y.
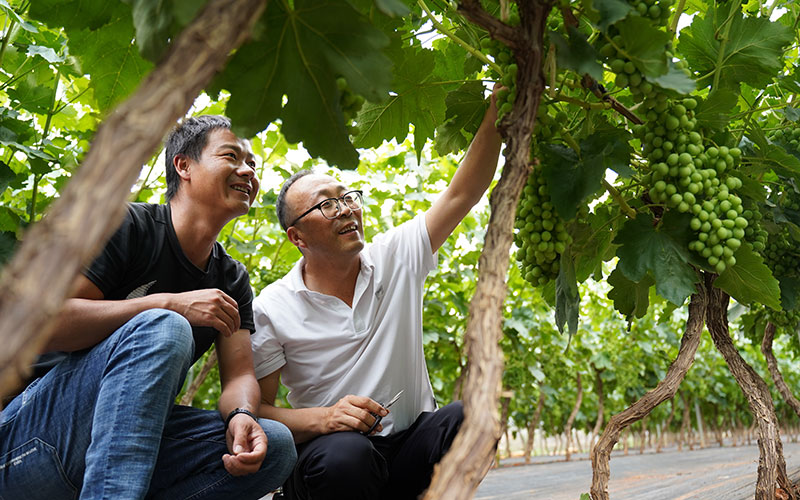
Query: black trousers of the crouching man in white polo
{"type": "Point", "coordinates": [349, 465]}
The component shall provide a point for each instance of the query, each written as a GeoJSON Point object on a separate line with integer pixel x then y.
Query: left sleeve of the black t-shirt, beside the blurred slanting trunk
{"type": "Point", "coordinates": [108, 269]}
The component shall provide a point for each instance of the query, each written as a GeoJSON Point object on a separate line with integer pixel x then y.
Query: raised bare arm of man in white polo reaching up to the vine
{"type": "Point", "coordinates": [470, 181]}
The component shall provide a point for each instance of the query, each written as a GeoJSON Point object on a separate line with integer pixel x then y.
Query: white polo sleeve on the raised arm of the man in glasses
{"type": "Point", "coordinates": [409, 243]}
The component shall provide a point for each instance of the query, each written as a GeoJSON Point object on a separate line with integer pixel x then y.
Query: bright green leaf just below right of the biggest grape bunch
{"type": "Point", "coordinates": [750, 281]}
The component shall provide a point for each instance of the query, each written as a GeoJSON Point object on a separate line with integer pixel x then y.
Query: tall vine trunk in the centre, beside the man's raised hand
{"type": "Point", "coordinates": [464, 466]}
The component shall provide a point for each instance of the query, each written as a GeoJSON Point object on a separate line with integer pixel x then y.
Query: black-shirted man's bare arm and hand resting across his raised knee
{"type": "Point", "coordinates": [87, 318]}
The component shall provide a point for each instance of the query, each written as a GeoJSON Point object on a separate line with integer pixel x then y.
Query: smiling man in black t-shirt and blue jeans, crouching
{"type": "Point", "coordinates": [99, 421]}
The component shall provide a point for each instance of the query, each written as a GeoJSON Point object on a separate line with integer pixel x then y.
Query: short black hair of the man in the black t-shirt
{"type": "Point", "coordinates": [188, 139]}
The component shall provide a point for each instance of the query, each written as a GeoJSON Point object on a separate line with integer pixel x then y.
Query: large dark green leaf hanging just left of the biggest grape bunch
{"type": "Point", "coordinates": [660, 251]}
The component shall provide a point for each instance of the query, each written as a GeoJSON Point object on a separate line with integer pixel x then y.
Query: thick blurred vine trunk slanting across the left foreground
{"type": "Point", "coordinates": [93, 203]}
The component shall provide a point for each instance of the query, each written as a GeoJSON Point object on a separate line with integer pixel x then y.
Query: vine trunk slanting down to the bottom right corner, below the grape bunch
{"type": "Point", "coordinates": [771, 463]}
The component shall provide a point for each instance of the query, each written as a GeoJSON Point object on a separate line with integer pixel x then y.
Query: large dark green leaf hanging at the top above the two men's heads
{"type": "Point", "coordinates": [299, 53]}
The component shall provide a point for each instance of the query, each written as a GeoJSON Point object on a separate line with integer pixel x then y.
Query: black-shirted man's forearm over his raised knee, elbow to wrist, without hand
{"type": "Point", "coordinates": [82, 323]}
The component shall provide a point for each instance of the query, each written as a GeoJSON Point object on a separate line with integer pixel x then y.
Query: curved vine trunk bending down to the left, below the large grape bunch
{"type": "Point", "coordinates": [601, 453]}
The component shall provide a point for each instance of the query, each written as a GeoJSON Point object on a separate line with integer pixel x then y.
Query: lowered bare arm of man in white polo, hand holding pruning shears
{"type": "Point", "coordinates": [351, 413]}
